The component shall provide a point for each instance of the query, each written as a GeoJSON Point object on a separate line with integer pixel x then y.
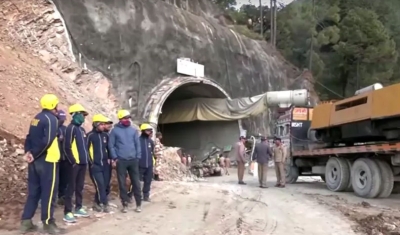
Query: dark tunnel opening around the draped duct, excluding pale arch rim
{"type": "Point", "coordinates": [197, 137]}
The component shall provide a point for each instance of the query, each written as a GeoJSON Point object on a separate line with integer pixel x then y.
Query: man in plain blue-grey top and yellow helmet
{"type": "Point", "coordinates": [125, 150]}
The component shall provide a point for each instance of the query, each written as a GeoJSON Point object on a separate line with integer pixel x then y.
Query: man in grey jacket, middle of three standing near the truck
{"type": "Point", "coordinates": [262, 154]}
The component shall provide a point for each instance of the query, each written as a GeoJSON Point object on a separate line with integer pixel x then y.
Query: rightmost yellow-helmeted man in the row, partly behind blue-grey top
{"type": "Point", "coordinates": [146, 163]}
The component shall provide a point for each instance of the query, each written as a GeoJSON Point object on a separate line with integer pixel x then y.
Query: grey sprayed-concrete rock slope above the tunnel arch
{"type": "Point", "coordinates": [135, 43]}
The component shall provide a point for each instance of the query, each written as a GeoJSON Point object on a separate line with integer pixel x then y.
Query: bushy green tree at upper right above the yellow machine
{"type": "Point", "coordinates": [368, 52]}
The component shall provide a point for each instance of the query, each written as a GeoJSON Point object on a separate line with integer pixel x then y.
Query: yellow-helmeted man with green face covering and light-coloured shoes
{"type": "Point", "coordinates": [77, 154]}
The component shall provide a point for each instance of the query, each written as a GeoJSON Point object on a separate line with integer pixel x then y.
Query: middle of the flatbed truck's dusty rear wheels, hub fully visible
{"type": "Point", "coordinates": [366, 178]}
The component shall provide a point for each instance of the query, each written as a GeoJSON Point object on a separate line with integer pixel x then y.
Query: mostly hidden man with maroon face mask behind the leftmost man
{"type": "Point", "coordinates": [64, 164]}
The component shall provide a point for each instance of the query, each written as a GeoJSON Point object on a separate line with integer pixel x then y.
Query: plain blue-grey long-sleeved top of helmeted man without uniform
{"type": "Point", "coordinates": [124, 143]}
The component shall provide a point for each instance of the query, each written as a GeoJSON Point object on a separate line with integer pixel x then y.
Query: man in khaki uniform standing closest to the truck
{"type": "Point", "coordinates": [279, 159]}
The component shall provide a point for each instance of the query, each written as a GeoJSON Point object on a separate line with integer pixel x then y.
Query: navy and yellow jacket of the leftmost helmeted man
{"type": "Point", "coordinates": [41, 140]}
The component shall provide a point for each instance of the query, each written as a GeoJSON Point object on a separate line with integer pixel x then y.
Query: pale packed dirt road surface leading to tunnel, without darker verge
{"type": "Point", "coordinates": [220, 206]}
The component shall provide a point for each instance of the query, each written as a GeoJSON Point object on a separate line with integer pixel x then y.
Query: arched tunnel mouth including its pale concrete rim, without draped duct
{"type": "Point", "coordinates": [197, 137]}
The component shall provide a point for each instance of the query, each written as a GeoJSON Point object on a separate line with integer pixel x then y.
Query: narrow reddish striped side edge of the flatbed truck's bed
{"type": "Point", "coordinates": [373, 148]}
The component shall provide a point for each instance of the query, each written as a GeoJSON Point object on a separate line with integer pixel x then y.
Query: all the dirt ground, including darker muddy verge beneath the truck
{"type": "Point", "coordinates": [221, 206]}
